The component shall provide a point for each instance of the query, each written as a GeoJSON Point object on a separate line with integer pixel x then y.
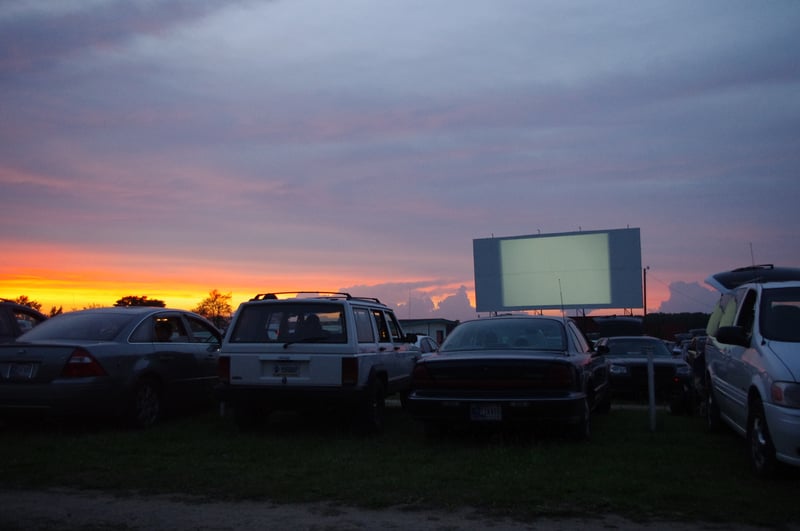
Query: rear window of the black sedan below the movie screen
{"type": "Point", "coordinates": [507, 334]}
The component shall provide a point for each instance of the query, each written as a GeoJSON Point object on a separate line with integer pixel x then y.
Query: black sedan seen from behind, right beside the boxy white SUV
{"type": "Point", "coordinates": [511, 370]}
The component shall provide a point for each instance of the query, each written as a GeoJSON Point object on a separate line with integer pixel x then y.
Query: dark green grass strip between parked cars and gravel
{"type": "Point", "coordinates": [678, 472]}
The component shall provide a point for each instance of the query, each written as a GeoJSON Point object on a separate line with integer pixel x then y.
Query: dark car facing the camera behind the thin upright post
{"type": "Point", "coordinates": [672, 376]}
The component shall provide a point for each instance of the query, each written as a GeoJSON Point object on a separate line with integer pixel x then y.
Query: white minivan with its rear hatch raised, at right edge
{"type": "Point", "coordinates": [753, 362]}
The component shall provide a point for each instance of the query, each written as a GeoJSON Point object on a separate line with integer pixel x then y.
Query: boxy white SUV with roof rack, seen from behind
{"type": "Point", "coordinates": [313, 351]}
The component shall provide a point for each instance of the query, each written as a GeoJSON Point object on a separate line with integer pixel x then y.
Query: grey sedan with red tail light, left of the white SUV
{"type": "Point", "coordinates": [129, 362]}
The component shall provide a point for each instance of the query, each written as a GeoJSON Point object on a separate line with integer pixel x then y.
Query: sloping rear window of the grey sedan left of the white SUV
{"type": "Point", "coordinates": [80, 326]}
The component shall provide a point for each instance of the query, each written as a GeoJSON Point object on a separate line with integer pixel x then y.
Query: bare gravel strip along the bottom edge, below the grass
{"type": "Point", "coordinates": [64, 509]}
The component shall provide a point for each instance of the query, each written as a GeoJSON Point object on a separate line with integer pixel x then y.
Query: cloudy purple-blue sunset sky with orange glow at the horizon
{"type": "Point", "coordinates": [167, 148]}
